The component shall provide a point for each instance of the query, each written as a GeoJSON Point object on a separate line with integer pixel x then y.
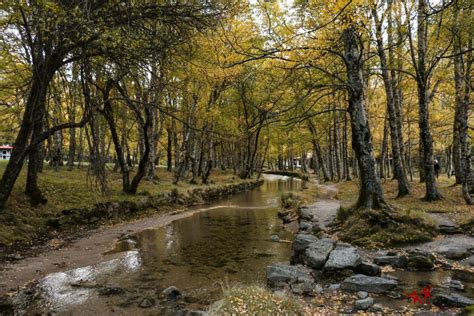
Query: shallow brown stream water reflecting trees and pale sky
{"type": "Point", "coordinates": [227, 243]}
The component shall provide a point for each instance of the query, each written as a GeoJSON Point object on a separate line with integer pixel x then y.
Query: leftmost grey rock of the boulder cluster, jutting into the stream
{"type": "Point", "coordinates": [281, 274]}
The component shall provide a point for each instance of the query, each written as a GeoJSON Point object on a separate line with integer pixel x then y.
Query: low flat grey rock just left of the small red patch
{"type": "Point", "coordinates": [360, 282]}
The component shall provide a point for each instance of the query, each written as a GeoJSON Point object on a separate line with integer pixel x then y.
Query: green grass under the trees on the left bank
{"type": "Point", "coordinates": [21, 223]}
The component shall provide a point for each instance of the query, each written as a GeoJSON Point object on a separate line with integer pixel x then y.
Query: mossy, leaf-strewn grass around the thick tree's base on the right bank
{"type": "Point", "coordinates": [376, 228]}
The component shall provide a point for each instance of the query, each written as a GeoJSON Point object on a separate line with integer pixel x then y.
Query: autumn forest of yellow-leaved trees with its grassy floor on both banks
{"type": "Point", "coordinates": [117, 100]}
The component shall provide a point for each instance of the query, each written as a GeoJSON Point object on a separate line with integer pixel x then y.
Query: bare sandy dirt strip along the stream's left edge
{"type": "Point", "coordinates": [81, 252]}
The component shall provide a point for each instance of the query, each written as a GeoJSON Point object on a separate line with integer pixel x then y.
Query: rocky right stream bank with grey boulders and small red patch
{"type": "Point", "coordinates": [337, 277]}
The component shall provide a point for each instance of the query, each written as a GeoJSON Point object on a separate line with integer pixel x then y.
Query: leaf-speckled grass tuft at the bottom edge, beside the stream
{"type": "Point", "coordinates": [255, 300]}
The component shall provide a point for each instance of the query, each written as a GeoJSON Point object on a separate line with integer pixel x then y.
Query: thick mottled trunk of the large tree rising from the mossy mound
{"type": "Point", "coordinates": [370, 192]}
